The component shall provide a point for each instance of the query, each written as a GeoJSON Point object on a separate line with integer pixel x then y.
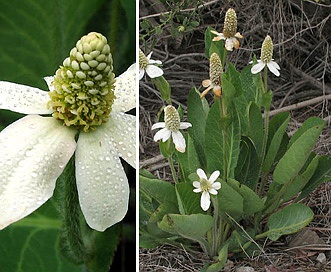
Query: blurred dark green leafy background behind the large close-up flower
{"type": "Point", "coordinates": [35, 37]}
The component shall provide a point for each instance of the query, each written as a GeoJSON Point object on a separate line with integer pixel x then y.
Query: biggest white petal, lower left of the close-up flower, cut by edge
{"type": "Point", "coordinates": [34, 151]}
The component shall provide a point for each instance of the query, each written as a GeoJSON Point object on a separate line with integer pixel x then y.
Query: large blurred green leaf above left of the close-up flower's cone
{"type": "Point", "coordinates": [47, 29]}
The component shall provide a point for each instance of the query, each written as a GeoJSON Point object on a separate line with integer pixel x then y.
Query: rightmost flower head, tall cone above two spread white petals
{"type": "Point", "coordinates": [266, 58]}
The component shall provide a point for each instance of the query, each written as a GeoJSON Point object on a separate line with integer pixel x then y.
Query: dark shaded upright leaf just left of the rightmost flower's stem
{"type": "Point", "coordinates": [247, 170]}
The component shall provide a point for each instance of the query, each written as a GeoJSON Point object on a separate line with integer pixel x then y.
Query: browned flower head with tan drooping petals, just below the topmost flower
{"type": "Point", "coordinates": [215, 76]}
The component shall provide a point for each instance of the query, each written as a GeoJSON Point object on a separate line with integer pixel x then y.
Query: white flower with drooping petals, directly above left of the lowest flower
{"type": "Point", "coordinates": [171, 127]}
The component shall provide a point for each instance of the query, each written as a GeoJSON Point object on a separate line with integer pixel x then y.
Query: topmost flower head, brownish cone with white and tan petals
{"type": "Point", "coordinates": [230, 33]}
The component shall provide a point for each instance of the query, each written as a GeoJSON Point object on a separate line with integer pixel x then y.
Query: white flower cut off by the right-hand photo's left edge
{"type": "Point", "coordinates": [146, 64]}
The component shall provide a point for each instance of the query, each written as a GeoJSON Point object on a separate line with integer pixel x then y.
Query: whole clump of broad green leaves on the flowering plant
{"type": "Point", "coordinates": [234, 136]}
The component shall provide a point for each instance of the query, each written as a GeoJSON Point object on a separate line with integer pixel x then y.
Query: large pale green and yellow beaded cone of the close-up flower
{"type": "Point", "coordinates": [84, 86]}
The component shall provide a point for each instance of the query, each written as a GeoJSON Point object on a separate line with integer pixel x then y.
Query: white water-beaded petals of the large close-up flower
{"type": "Point", "coordinates": [34, 151]}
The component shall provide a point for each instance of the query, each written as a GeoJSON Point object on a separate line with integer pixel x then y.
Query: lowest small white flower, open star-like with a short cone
{"type": "Point", "coordinates": [206, 186]}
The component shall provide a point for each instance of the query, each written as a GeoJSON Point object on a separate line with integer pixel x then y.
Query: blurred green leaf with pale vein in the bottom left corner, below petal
{"type": "Point", "coordinates": [31, 244]}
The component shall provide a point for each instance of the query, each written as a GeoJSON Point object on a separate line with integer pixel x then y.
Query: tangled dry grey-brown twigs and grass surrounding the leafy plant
{"type": "Point", "coordinates": [301, 34]}
